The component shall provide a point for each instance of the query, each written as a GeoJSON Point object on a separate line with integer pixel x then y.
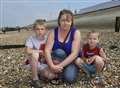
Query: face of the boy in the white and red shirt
{"type": "Point", "coordinates": [40, 30]}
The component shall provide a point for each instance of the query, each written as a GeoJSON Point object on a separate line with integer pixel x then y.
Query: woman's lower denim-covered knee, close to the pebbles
{"type": "Point", "coordinates": [70, 73]}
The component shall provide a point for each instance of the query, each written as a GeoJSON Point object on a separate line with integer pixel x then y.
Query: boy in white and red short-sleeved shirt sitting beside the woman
{"type": "Point", "coordinates": [35, 45]}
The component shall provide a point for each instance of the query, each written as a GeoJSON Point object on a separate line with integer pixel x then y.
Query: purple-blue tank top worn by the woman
{"type": "Point", "coordinates": [67, 46]}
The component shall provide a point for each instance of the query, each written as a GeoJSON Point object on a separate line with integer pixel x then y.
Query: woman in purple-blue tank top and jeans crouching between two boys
{"type": "Point", "coordinates": [62, 47]}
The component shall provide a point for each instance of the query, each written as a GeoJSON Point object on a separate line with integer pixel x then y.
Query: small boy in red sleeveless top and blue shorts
{"type": "Point", "coordinates": [93, 57]}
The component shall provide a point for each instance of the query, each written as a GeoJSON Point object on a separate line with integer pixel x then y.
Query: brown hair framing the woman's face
{"type": "Point", "coordinates": [65, 11]}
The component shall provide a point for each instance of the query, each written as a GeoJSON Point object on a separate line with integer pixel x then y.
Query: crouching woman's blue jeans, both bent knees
{"type": "Point", "coordinates": [70, 72]}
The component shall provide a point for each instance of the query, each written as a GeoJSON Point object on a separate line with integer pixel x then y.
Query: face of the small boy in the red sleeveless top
{"type": "Point", "coordinates": [93, 39]}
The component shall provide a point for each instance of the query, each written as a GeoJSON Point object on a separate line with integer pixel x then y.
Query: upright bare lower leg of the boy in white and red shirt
{"type": "Point", "coordinates": [34, 64]}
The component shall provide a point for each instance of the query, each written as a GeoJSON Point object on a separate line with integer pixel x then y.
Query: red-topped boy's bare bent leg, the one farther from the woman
{"type": "Point", "coordinates": [99, 63]}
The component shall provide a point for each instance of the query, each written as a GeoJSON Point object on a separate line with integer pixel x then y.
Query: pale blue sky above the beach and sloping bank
{"type": "Point", "coordinates": [24, 12]}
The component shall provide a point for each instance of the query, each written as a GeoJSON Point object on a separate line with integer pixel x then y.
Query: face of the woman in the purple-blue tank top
{"type": "Point", "coordinates": [65, 21]}
